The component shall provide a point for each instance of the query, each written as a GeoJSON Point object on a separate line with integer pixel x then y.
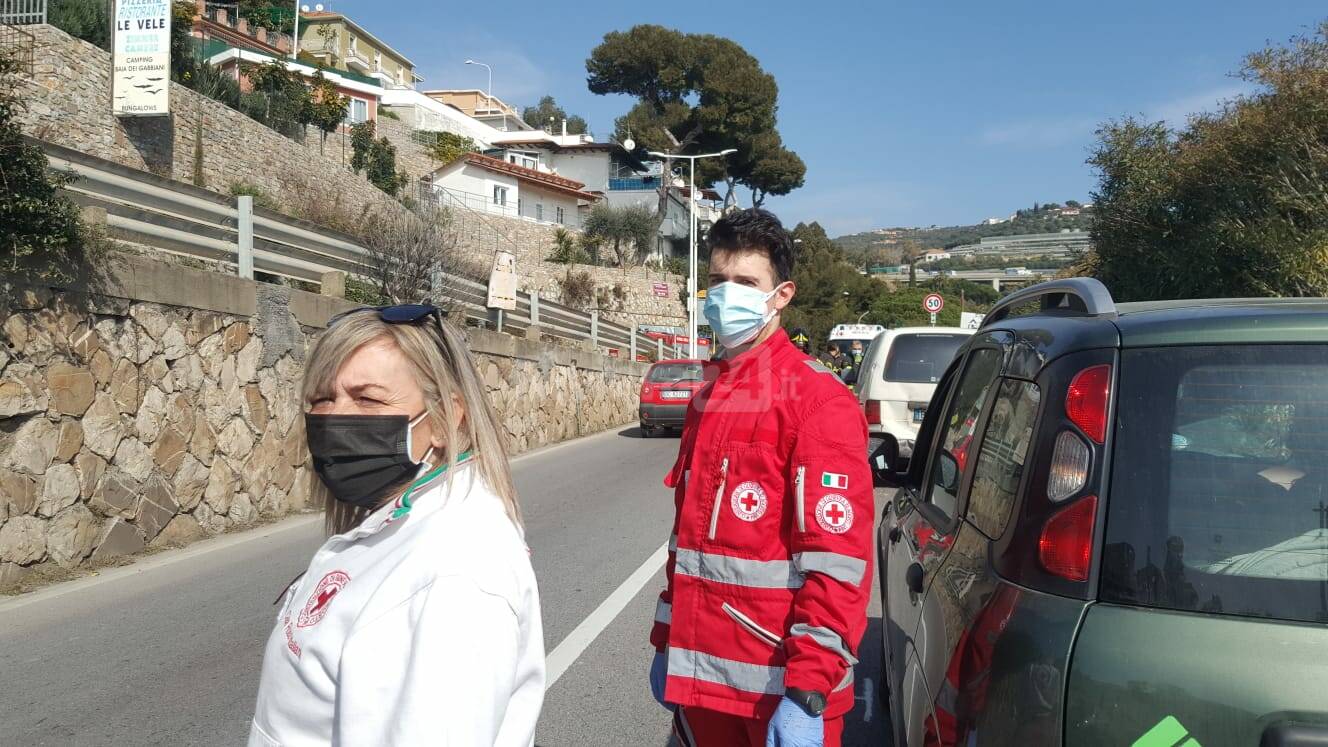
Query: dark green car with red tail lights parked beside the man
{"type": "Point", "coordinates": [1115, 530]}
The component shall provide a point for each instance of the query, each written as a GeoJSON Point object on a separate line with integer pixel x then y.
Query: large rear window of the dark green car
{"type": "Point", "coordinates": [1220, 488]}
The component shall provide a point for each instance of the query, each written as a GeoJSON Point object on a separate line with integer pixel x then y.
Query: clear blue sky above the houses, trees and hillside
{"type": "Point", "coordinates": [906, 112]}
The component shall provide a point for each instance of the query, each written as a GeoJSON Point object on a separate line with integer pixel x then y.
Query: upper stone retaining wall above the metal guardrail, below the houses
{"type": "Point", "coordinates": [68, 103]}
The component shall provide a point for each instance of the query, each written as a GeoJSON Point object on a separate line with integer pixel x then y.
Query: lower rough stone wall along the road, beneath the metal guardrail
{"type": "Point", "coordinates": [167, 409]}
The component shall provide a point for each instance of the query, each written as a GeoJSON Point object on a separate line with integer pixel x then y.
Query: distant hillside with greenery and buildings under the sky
{"type": "Point", "coordinates": [894, 247]}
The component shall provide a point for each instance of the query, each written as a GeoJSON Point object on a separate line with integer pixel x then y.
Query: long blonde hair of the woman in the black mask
{"type": "Point", "coordinates": [446, 373]}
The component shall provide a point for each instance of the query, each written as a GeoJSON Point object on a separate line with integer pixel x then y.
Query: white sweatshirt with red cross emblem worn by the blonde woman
{"type": "Point", "coordinates": [420, 627]}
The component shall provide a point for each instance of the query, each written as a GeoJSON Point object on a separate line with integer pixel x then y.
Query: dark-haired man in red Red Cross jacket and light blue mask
{"type": "Point", "coordinates": [771, 562]}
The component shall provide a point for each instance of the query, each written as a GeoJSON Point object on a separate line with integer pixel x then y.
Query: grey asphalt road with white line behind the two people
{"type": "Point", "coordinates": [168, 652]}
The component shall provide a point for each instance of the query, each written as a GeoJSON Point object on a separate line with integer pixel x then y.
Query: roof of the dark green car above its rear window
{"type": "Point", "coordinates": [1228, 321]}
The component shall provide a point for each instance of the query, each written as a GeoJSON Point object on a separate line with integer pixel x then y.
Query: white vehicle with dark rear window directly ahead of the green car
{"type": "Point", "coordinates": [897, 379]}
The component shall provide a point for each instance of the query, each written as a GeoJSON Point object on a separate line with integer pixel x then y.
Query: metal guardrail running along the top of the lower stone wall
{"type": "Point", "coordinates": [183, 220]}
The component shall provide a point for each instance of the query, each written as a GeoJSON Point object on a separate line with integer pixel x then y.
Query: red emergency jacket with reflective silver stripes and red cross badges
{"type": "Point", "coordinates": [770, 570]}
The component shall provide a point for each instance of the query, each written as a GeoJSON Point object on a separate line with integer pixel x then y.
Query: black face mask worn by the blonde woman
{"type": "Point", "coordinates": [361, 457]}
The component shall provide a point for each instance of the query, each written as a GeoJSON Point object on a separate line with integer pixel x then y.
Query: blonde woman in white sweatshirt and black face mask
{"type": "Point", "coordinates": [418, 623]}
